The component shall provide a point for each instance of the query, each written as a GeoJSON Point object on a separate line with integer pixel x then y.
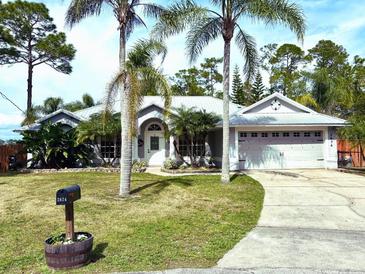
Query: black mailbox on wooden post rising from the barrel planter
{"type": "Point", "coordinates": [67, 196]}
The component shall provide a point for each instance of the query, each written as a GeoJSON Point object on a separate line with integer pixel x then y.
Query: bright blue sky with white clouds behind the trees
{"type": "Point", "coordinates": [96, 41]}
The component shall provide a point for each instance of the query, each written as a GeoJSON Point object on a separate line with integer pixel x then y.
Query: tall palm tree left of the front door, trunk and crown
{"type": "Point", "coordinates": [125, 11]}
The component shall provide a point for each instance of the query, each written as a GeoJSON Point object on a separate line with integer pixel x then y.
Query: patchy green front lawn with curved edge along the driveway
{"type": "Point", "coordinates": [168, 222]}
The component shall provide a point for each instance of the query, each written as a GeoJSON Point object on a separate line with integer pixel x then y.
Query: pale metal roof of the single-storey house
{"type": "Point", "coordinates": [238, 116]}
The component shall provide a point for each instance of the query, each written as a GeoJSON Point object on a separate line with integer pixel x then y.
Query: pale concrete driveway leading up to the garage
{"type": "Point", "coordinates": [312, 220]}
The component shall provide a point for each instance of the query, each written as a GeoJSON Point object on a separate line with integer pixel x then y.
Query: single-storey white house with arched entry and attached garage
{"type": "Point", "coordinates": [274, 133]}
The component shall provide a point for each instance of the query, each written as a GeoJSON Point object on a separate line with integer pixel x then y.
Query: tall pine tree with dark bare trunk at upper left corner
{"type": "Point", "coordinates": [28, 35]}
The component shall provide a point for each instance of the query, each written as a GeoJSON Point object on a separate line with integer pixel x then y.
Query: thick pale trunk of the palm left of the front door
{"type": "Point", "coordinates": [126, 140]}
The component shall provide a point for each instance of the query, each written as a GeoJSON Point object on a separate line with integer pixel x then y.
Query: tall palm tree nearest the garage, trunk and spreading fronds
{"type": "Point", "coordinates": [205, 25]}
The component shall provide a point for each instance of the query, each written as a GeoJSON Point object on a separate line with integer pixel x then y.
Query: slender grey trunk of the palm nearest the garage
{"type": "Point", "coordinates": [225, 154]}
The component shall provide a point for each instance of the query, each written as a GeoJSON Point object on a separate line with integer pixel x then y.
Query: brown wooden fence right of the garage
{"type": "Point", "coordinates": [346, 150]}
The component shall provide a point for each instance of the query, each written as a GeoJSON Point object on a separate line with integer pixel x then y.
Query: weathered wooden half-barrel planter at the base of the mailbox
{"type": "Point", "coordinates": [72, 255]}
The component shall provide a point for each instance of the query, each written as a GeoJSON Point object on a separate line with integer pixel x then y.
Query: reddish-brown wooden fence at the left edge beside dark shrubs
{"type": "Point", "coordinates": [8, 150]}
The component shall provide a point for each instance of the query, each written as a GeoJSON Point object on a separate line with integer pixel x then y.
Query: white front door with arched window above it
{"type": "Point", "coordinates": [154, 145]}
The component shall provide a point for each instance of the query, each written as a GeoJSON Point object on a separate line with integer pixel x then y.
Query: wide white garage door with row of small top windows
{"type": "Point", "coordinates": [281, 150]}
